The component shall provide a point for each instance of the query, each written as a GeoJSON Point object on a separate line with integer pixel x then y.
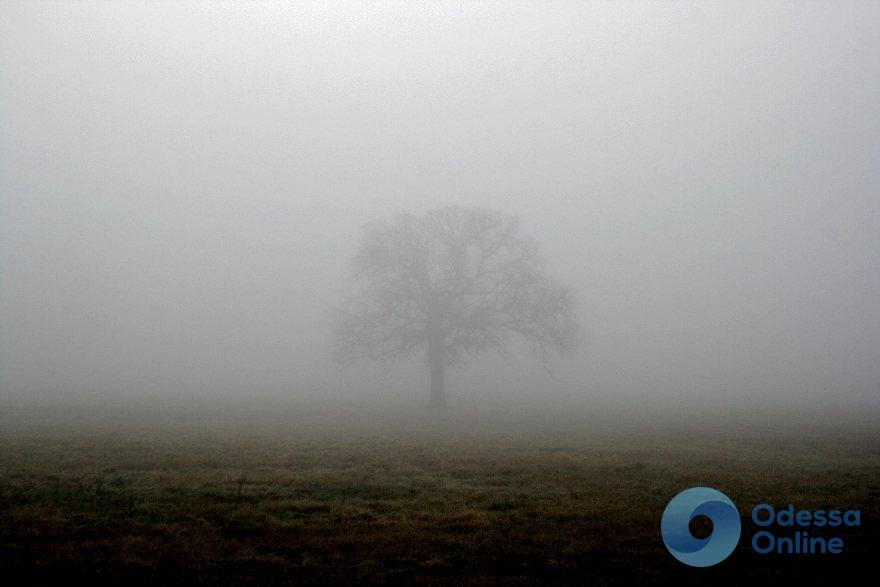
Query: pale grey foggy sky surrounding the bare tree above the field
{"type": "Point", "coordinates": [182, 188]}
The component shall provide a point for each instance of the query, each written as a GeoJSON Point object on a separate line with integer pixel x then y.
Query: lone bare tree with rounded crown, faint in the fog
{"type": "Point", "coordinates": [451, 283]}
